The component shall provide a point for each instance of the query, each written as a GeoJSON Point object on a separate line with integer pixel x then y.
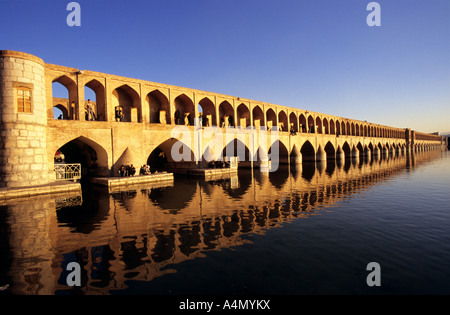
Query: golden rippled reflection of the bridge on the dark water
{"type": "Point", "coordinates": [137, 234]}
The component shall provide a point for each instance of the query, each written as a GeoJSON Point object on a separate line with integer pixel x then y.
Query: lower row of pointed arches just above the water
{"type": "Point", "coordinates": [94, 158]}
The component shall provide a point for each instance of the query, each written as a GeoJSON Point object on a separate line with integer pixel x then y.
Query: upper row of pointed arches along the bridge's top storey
{"type": "Point", "coordinates": [183, 111]}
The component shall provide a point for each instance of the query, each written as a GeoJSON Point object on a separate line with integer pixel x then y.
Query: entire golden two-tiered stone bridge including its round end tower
{"type": "Point", "coordinates": [165, 126]}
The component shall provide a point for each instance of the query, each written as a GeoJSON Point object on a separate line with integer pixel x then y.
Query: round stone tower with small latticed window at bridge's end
{"type": "Point", "coordinates": [23, 120]}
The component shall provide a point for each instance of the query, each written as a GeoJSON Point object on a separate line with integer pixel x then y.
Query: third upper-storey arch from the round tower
{"type": "Point", "coordinates": [128, 99]}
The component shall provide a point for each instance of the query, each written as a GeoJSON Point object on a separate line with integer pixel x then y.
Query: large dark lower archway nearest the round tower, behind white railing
{"type": "Point", "coordinates": [92, 156]}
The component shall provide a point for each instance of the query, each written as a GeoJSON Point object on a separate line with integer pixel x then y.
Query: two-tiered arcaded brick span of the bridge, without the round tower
{"type": "Point", "coordinates": [155, 117]}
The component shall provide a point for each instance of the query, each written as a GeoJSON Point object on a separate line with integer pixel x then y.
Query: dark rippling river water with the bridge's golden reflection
{"type": "Point", "coordinates": [308, 229]}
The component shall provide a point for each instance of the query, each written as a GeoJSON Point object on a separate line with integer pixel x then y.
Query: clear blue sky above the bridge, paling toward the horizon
{"type": "Point", "coordinates": [318, 55]}
